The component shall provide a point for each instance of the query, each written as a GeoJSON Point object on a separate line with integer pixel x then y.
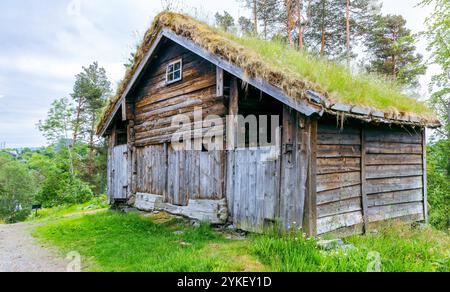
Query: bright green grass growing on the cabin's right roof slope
{"type": "Point", "coordinates": [337, 80]}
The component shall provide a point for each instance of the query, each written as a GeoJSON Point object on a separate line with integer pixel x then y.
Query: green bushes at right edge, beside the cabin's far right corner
{"type": "Point", "coordinates": [439, 184]}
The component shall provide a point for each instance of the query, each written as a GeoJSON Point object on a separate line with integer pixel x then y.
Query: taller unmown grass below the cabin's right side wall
{"type": "Point", "coordinates": [399, 249]}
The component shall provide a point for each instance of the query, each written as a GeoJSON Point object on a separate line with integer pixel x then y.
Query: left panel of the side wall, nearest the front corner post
{"type": "Point", "coordinates": [339, 199]}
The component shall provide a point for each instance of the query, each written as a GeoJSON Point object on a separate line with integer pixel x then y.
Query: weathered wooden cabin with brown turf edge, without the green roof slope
{"type": "Point", "coordinates": [331, 166]}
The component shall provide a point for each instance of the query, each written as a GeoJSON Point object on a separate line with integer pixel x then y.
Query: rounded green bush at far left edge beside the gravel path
{"type": "Point", "coordinates": [17, 190]}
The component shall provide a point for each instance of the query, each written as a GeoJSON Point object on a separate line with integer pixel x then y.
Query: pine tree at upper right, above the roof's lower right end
{"type": "Point", "coordinates": [392, 47]}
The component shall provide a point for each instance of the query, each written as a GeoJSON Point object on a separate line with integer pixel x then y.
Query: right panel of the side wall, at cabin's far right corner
{"type": "Point", "coordinates": [394, 171]}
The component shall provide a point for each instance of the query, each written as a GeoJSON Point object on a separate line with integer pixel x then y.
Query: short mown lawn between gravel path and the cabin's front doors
{"type": "Point", "coordinates": [129, 242]}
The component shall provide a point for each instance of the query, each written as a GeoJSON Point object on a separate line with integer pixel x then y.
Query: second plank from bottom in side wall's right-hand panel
{"type": "Point", "coordinates": [400, 197]}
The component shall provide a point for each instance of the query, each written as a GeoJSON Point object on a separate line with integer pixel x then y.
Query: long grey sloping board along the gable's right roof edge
{"type": "Point", "coordinates": [302, 106]}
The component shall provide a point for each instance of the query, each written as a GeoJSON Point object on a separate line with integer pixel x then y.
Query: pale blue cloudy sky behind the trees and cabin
{"type": "Point", "coordinates": [44, 44]}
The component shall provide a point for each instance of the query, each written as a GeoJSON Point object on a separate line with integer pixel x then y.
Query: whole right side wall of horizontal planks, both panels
{"type": "Point", "coordinates": [367, 174]}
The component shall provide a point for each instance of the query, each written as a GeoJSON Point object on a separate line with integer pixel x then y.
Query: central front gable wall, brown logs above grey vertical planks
{"type": "Point", "coordinates": [178, 176]}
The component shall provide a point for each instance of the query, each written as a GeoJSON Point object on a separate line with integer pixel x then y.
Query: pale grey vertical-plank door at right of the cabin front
{"type": "Point", "coordinates": [253, 187]}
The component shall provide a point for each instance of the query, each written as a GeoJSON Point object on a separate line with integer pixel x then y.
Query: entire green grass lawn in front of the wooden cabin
{"type": "Point", "coordinates": [112, 241]}
